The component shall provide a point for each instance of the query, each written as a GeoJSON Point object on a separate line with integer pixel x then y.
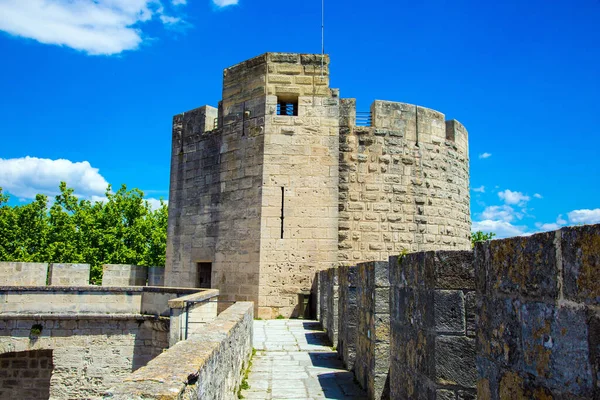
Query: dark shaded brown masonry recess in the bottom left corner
{"type": "Point", "coordinates": [26, 375]}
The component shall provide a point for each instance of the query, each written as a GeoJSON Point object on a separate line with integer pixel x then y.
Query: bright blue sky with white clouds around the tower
{"type": "Point", "coordinates": [88, 88]}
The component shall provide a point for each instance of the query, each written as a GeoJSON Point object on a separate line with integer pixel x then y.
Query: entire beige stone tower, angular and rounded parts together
{"type": "Point", "coordinates": [278, 182]}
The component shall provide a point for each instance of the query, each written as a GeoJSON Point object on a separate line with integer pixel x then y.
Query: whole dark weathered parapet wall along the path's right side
{"type": "Point", "coordinates": [516, 319]}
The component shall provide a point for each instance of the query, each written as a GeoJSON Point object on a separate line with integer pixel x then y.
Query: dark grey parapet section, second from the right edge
{"type": "Point", "coordinates": [433, 326]}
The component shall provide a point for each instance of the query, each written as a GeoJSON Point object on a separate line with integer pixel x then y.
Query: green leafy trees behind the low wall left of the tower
{"type": "Point", "coordinates": [121, 230]}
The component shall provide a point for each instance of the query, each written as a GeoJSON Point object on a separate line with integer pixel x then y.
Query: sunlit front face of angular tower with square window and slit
{"type": "Point", "coordinates": [301, 176]}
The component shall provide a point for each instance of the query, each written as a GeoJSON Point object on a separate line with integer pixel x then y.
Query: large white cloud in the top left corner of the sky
{"type": "Point", "coordinates": [97, 27]}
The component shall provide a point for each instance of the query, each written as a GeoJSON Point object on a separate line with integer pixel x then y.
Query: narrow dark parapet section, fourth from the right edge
{"type": "Point", "coordinates": [347, 315]}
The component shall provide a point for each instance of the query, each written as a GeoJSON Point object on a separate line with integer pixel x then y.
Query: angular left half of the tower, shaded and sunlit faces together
{"type": "Point", "coordinates": [254, 185]}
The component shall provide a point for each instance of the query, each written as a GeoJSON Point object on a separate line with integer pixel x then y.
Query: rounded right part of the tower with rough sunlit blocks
{"type": "Point", "coordinates": [403, 186]}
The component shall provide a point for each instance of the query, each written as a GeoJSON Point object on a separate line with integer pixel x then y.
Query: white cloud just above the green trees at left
{"type": "Point", "coordinates": [26, 177]}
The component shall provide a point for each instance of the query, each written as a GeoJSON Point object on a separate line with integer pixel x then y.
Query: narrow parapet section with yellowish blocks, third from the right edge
{"type": "Point", "coordinates": [373, 335]}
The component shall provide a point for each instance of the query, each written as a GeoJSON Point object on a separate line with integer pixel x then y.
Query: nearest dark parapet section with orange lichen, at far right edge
{"type": "Point", "coordinates": [538, 322]}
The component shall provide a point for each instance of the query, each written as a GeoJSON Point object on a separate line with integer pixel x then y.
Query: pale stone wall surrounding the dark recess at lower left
{"type": "Point", "coordinates": [90, 353]}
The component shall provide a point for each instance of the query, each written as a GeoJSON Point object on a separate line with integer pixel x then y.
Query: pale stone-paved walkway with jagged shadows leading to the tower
{"type": "Point", "coordinates": [293, 360]}
